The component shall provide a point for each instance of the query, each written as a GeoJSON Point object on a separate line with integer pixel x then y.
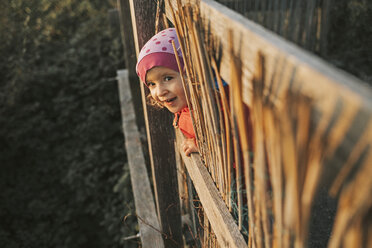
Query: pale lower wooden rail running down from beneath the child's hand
{"type": "Point", "coordinates": [223, 224]}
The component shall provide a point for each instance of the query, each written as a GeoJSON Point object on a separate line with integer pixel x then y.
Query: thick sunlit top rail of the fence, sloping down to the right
{"type": "Point", "coordinates": [318, 78]}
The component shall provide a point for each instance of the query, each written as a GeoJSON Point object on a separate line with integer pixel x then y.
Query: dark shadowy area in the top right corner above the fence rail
{"type": "Point", "coordinates": [350, 37]}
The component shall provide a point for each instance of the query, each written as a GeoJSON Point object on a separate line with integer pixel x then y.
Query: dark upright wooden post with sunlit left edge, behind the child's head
{"type": "Point", "coordinates": [160, 135]}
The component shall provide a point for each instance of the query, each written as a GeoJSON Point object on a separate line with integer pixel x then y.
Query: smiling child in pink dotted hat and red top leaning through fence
{"type": "Point", "coordinates": [158, 69]}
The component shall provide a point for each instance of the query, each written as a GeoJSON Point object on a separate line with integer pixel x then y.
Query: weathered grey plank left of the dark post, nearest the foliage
{"type": "Point", "coordinates": [145, 207]}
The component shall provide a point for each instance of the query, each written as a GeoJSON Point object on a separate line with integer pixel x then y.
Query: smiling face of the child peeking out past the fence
{"type": "Point", "coordinates": [166, 87]}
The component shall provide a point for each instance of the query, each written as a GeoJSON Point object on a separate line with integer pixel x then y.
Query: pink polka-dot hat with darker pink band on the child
{"type": "Point", "coordinates": [158, 51]}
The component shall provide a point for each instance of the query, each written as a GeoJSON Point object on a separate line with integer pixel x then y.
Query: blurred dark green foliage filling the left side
{"type": "Point", "coordinates": [63, 182]}
